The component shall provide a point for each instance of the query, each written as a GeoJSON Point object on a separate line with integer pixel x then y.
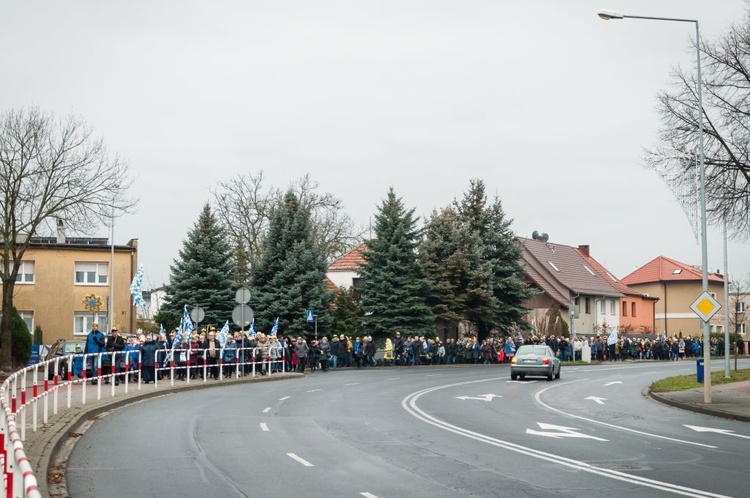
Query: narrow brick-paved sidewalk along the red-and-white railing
{"type": "Point", "coordinates": [48, 448]}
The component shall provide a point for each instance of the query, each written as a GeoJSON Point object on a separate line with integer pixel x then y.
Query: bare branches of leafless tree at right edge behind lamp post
{"type": "Point", "coordinates": [726, 119]}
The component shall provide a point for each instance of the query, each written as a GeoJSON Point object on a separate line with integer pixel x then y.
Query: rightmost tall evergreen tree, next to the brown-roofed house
{"type": "Point", "coordinates": [499, 270]}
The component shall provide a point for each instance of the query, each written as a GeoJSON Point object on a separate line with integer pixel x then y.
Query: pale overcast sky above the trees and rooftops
{"type": "Point", "coordinates": [541, 99]}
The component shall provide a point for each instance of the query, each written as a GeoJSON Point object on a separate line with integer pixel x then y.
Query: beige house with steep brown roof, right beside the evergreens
{"type": "Point", "coordinates": [567, 280]}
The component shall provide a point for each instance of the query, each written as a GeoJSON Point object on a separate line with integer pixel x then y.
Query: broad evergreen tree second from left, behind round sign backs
{"type": "Point", "coordinates": [288, 278]}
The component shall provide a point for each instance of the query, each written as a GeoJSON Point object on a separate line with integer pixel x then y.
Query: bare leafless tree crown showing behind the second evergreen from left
{"type": "Point", "coordinates": [243, 204]}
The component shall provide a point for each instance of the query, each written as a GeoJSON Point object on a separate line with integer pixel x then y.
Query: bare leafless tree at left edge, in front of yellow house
{"type": "Point", "coordinates": [50, 169]}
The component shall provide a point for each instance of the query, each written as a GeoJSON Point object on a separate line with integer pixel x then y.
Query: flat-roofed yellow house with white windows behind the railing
{"type": "Point", "coordinates": [56, 274]}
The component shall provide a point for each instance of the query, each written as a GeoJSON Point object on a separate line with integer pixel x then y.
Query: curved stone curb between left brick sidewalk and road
{"type": "Point", "coordinates": [53, 461]}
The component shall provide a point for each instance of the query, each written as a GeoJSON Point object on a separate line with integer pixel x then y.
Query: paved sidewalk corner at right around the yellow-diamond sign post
{"type": "Point", "coordinates": [730, 401]}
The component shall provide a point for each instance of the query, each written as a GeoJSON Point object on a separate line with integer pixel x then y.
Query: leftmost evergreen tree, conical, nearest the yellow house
{"type": "Point", "coordinates": [203, 274]}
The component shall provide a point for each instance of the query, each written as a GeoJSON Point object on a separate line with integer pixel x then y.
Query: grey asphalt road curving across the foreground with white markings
{"type": "Point", "coordinates": [459, 431]}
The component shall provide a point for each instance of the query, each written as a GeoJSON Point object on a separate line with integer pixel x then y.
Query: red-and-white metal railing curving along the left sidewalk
{"type": "Point", "coordinates": [62, 376]}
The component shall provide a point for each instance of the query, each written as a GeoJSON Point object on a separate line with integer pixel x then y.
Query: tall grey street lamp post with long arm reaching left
{"type": "Point", "coordinates": [608, 15]}
